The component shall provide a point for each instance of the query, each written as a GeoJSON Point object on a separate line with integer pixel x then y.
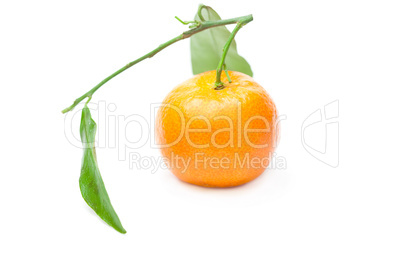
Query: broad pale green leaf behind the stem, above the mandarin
{"type": "Point", "coordinates": [207, 46]}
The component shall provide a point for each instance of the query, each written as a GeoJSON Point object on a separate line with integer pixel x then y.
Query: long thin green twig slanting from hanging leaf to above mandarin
{"type": "Point", "coordinates": [201, 26]}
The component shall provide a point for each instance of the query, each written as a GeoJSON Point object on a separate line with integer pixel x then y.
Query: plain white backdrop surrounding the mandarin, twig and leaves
{"type": "Point", "coordinates": [306, 54]}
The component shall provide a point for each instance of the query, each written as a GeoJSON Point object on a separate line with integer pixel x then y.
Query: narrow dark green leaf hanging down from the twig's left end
{"type": "Point", "coordinates": [91, 184]}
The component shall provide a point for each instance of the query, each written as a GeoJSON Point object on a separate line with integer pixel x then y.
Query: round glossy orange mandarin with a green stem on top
{"type": "Point", "coordinates": [217, 138]}
